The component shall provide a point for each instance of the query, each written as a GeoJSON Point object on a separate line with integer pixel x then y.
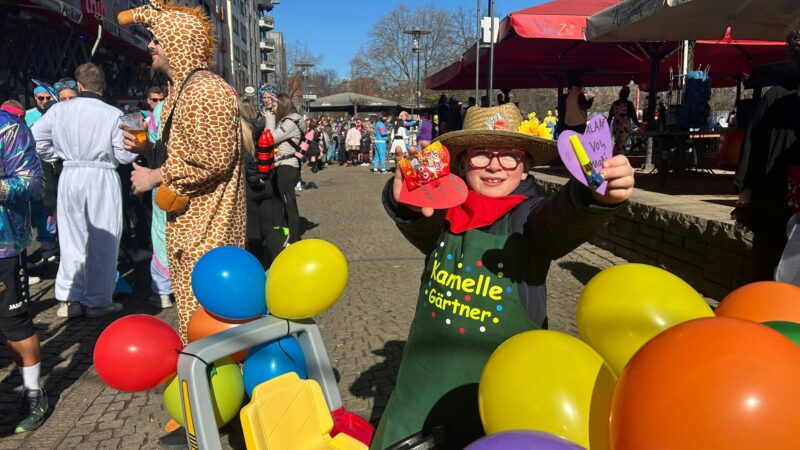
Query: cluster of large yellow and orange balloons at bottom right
{"type": "Point", "coordinates": [654, 367]}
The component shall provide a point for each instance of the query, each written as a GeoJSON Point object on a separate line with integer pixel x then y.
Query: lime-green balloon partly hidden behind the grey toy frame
{"type": "Point", "coordinates": [227, 393]}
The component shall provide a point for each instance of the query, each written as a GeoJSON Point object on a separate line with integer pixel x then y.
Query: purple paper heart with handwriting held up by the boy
{"type": "Point", "coordinates": [597, 143]}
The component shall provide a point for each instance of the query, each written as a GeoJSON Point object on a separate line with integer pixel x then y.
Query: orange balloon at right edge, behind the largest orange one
{"type": "Point", "coordinates": [764, 301]}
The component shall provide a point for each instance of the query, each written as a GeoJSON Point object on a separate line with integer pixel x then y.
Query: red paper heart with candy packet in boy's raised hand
{"type": "Point", "coordinates": [427, 181]}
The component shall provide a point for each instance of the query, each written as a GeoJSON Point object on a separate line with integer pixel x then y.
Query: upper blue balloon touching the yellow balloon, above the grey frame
{"type": "Point", "coordinates": [230, 283]}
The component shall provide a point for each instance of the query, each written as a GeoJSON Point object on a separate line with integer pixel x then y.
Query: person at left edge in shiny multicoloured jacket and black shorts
{"type": "Point", "coordinates": [21, 181]}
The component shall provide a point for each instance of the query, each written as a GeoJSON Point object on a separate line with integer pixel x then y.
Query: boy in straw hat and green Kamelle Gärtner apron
{"type": "Point", "coordinates": [487, 262]}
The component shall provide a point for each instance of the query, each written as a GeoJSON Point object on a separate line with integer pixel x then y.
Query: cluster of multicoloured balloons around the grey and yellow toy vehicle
{"type": "Point", "coordinates": [140, 352]}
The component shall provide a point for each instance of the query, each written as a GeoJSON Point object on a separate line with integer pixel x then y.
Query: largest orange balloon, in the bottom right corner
{"type": "Point", "coordinates": [711, 383]}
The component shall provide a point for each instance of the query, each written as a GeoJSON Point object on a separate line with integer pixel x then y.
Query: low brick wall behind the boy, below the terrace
{"type": "Point", "coordinates": [711, 255]}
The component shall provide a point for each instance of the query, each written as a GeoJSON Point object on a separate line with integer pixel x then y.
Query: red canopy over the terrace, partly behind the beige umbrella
{"type": "Point", "coordinates": [539, 45]}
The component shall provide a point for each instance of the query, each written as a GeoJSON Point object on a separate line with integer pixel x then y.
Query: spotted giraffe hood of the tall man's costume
{"type": "Point", "coordinates": [184, 33]}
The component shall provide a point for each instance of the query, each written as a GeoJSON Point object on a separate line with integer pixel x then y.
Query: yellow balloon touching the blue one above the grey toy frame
{"type": "Point", "coordinates": [305, 279]}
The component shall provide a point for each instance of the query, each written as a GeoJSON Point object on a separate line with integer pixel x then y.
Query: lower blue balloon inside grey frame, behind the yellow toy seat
{"type": "Point", "coordinates": [273, 359]}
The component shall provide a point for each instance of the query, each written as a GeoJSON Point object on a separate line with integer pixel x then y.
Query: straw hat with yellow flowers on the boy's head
{"type": "Point", "coordinates": [496, 128]}
